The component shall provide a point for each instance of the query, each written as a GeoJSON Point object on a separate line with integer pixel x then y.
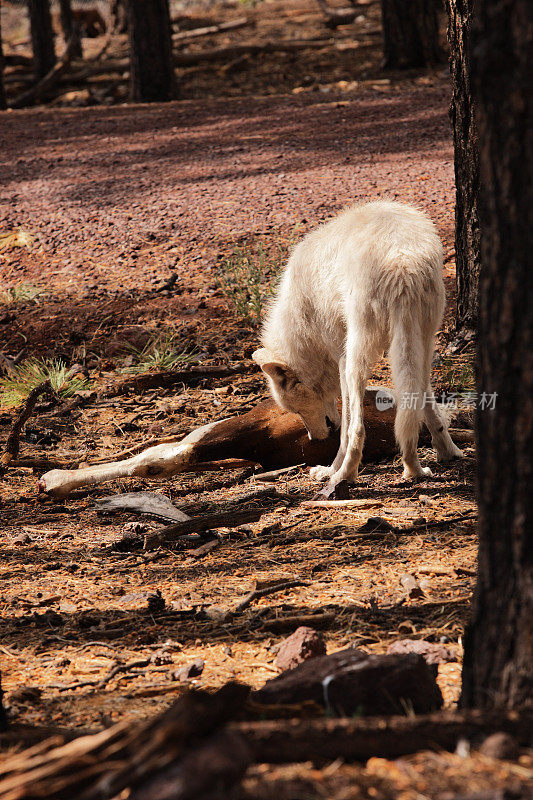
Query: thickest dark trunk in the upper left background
{"type": "Point", "coordinates": [152, 70]}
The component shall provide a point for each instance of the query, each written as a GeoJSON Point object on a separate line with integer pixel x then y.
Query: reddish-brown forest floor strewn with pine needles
{"type": "Point", "coordinates": [133, 214]}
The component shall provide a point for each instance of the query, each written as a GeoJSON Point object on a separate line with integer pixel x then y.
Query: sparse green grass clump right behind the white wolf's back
{"type": "Point", "coordinates": [248, 277]}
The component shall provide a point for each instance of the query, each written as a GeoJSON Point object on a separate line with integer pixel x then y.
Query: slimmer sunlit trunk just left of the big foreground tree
{"type": "Point", "coordinates": [467, 258]}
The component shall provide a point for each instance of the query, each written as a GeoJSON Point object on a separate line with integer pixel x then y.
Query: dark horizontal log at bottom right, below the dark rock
{"type": "Point", "coordinates": [320, 740]}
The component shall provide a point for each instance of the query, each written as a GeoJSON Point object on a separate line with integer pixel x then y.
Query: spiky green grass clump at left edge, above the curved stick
{"type": "Point", "coordinates": [15, 387]}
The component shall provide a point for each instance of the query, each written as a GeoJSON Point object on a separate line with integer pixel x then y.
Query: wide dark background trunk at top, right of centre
{"type": "Point", "coordinates": [410, 33]}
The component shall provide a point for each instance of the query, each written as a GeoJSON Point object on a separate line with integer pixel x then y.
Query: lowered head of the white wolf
{"type": "Point", "coordinates": [317, 414]}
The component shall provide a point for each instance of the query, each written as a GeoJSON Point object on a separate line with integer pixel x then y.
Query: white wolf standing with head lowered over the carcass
{"type": "Point", "coordinates": [368, 281]}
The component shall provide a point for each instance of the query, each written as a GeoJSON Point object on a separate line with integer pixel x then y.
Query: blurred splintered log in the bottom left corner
{"type": "Point", "coordinates": [126, 755]}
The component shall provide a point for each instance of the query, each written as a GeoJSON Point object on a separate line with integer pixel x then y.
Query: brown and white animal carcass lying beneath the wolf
{"type": "Point", "coordinates": [265, 435]}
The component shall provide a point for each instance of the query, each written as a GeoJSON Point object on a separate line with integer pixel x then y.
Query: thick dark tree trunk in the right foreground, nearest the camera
{"type": "Point", "coordinates": [498, 663]}
